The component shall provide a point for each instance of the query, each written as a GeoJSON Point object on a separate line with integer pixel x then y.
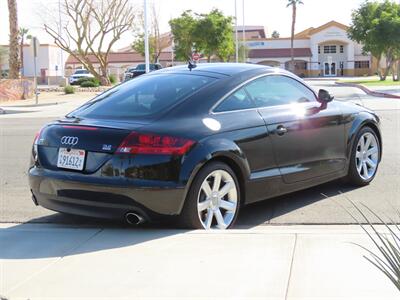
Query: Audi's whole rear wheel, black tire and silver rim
{"type": "Point", "coordinates": [213, 199]}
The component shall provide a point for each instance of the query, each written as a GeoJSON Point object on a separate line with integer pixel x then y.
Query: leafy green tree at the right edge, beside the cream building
{"type": "Point", "coordinates": [376, 25]}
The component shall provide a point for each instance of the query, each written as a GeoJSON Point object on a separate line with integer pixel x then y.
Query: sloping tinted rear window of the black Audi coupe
{"type": "Point", "coordinates": [143, 97]}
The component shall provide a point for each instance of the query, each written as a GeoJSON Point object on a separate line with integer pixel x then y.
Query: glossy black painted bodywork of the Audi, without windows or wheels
{"type": "Point", "coordinates": [266, 163]}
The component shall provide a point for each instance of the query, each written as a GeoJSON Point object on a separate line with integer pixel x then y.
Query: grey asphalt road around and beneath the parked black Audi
{"type": "Point", "coordinates": [319, 205]}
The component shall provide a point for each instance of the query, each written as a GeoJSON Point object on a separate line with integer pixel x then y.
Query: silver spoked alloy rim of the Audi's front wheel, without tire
{"type": "Point", "coordinates": [367, 156]}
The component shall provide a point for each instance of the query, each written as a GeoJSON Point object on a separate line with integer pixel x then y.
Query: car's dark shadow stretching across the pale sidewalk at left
{"type": "Point", "coordinates": [44, 240]}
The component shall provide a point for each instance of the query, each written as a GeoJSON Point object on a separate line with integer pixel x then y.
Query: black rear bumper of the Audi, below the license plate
{"type": "Point", "coordinates": [111, 200]}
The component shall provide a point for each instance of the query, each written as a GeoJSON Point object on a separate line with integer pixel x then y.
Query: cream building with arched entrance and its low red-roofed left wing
{"type": "Point", "coordinates": [322, 51]}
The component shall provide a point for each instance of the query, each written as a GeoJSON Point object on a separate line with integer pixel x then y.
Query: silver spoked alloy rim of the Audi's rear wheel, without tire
{"type": "Point", "coordinates": [217, 200]}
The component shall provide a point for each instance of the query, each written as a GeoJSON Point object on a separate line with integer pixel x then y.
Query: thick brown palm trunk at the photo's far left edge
{"type": "Point", "coordinates": [13, 48]}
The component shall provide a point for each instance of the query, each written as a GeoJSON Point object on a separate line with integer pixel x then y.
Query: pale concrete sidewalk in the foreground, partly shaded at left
{"type": "Point", "coordinates": [41, 261]}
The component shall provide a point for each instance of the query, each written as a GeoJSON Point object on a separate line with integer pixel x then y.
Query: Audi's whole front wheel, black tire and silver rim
{"type": "Point", "coordinates": [365, 157]}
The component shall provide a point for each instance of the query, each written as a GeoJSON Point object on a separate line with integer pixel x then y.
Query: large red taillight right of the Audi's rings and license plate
{"type": "Point", "coordinates": [137, 143]}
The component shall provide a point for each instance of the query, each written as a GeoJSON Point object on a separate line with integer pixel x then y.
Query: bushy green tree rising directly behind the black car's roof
{"type": "Point", "coordinates": [210, 34]}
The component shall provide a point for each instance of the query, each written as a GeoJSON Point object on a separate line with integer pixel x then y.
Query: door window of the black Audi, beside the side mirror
{"type": "Point", "coordinates": [278, 90]}
